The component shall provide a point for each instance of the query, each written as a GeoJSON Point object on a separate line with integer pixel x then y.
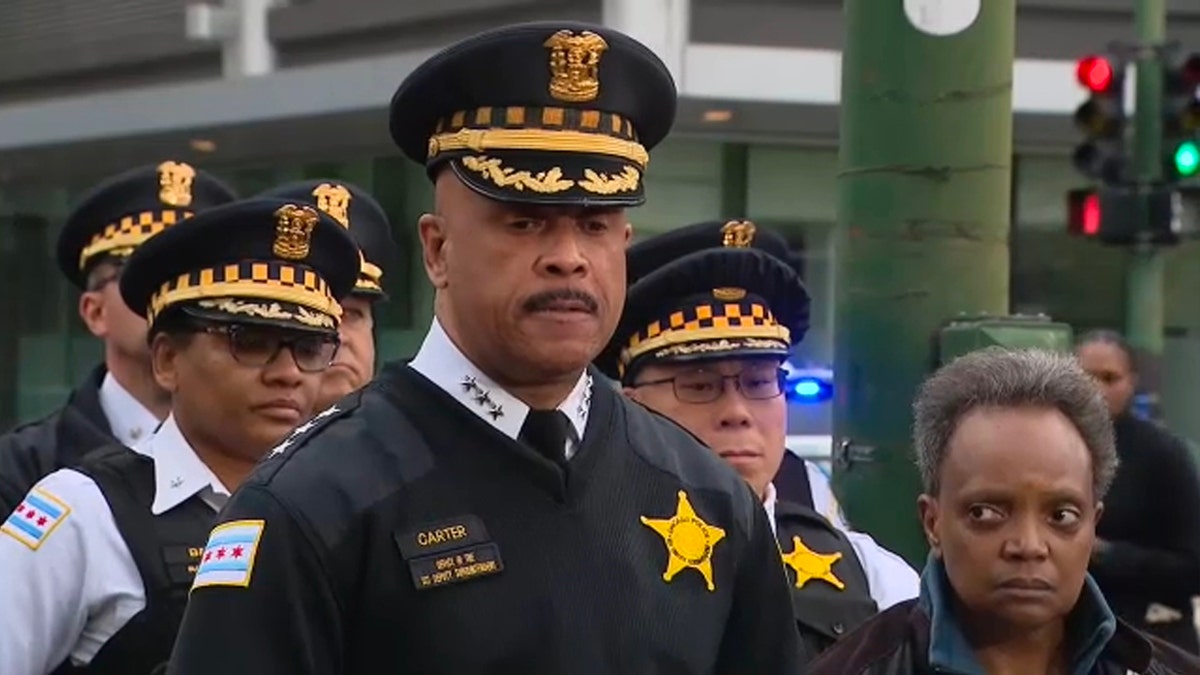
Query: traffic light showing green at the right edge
{"type": "Point", "coordinates": [1181, 118]}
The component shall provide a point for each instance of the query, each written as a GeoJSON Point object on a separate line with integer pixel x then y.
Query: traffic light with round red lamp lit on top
{"type": "Point", "coordinates": [1102, 120]}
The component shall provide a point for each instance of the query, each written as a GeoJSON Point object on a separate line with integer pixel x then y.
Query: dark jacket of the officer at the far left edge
{"type": "Point", "coordinates": [34, 451]}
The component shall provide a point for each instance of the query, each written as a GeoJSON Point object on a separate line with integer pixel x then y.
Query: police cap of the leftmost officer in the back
{"type": "Point", "coordinates": [116, 217]}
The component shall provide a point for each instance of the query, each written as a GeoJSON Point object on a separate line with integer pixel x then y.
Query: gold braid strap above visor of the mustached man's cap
{"type": "Point", "coordinates": [538, 140]}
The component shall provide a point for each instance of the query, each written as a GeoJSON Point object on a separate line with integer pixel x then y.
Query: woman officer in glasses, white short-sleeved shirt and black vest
{"type": "Point", "coordinates": [243, 306]}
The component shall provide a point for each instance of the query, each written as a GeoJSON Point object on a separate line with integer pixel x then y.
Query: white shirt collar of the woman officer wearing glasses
{"type": "Point", "coordinates": [178, 471]}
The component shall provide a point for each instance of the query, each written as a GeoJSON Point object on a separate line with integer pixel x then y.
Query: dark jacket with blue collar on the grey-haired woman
{"type": "Point", "coordinates": [921, 637]}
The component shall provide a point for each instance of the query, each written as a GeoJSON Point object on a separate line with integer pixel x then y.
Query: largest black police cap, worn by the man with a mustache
{"type": "Point", "coordinates": [547, 114]}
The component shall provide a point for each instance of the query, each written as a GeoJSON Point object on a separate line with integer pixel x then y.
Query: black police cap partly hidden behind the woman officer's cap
{"type": "Point", "coordinates": [358, 212]}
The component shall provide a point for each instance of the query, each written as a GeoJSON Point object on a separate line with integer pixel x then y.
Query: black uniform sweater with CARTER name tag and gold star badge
{"type": "Point", "coordinates": [406, 535]}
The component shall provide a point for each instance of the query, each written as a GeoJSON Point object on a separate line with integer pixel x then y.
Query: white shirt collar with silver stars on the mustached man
{"type": "Point", "coordinates": [441, 362]}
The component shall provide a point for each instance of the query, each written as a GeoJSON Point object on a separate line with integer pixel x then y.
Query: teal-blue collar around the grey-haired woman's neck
{"type": "Point", "coordinates": [1090, 626]}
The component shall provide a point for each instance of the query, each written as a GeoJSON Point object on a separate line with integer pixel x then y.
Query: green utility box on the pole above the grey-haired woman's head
{"type": "Point", "coordinates": [968, 333]}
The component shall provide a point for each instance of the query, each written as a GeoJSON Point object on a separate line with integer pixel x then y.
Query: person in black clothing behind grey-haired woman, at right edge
{"type": "Point", "coordinates": [1148, 554]}
